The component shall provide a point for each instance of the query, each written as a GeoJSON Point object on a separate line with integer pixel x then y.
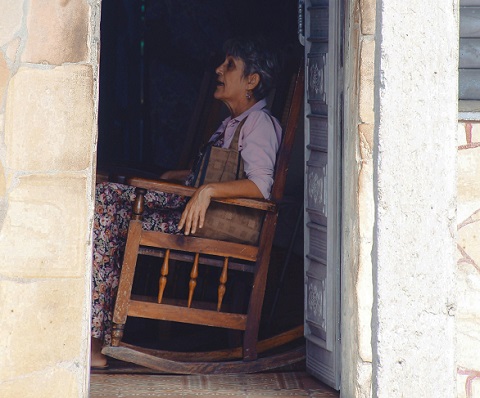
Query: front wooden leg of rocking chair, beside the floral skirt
{"type": "Point", "coordinates": [126, 281]}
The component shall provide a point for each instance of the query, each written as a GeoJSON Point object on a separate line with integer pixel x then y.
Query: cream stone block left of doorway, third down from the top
{"type": "Point", "coordinates": [45, 231]}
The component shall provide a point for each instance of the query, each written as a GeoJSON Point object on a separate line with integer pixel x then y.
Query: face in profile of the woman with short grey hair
{"type": "Point", "coordinates": [232, 85]}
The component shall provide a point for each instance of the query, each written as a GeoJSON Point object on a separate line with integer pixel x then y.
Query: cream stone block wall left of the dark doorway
{"type": "Point", "coordinates": [48, 94]}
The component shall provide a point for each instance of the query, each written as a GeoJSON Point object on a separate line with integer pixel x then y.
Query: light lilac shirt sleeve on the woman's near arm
{"type": "Point", "coordinates": [259, 142]}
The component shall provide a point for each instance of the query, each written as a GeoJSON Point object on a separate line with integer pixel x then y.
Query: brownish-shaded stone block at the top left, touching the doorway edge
{"type": "Point", "coordinates": [57, 32]}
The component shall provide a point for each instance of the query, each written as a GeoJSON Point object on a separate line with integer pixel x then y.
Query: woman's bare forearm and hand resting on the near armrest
{"type": "Point", "coordinates": [193, 216]}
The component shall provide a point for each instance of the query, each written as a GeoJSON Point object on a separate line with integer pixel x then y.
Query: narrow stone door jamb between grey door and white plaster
{"type": "Point", "coordinates": [358, 207]}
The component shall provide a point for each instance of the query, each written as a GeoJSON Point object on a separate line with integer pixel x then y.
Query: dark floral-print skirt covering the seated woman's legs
{"type": "Point", "coordinates": [113, 207]}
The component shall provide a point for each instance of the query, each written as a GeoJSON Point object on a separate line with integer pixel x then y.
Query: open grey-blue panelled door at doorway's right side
{"type": "Point", "coordinates": [323, 116]}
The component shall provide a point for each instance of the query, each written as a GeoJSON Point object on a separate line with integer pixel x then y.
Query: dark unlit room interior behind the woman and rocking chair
{"type": "Point", "coordinates": [154, 57]}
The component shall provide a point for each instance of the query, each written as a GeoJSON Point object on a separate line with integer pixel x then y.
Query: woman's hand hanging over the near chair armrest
{"type": "Point", "coordinates": [193, 216]}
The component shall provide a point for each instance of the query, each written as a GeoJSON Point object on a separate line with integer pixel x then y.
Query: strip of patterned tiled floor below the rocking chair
{"type": "Point", "coordinates": [288, 384]}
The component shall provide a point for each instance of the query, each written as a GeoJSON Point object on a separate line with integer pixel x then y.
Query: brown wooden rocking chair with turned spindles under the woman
{"type": "Point", "coordinates": [227, 256]}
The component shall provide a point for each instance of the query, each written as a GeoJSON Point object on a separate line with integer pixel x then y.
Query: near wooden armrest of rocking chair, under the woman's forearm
{"type": "Point", "coordinates": [179, 189]}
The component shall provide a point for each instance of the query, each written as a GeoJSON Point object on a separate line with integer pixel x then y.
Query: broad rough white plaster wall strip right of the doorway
{"type": "Point", "coordinates": [416, 118]}
